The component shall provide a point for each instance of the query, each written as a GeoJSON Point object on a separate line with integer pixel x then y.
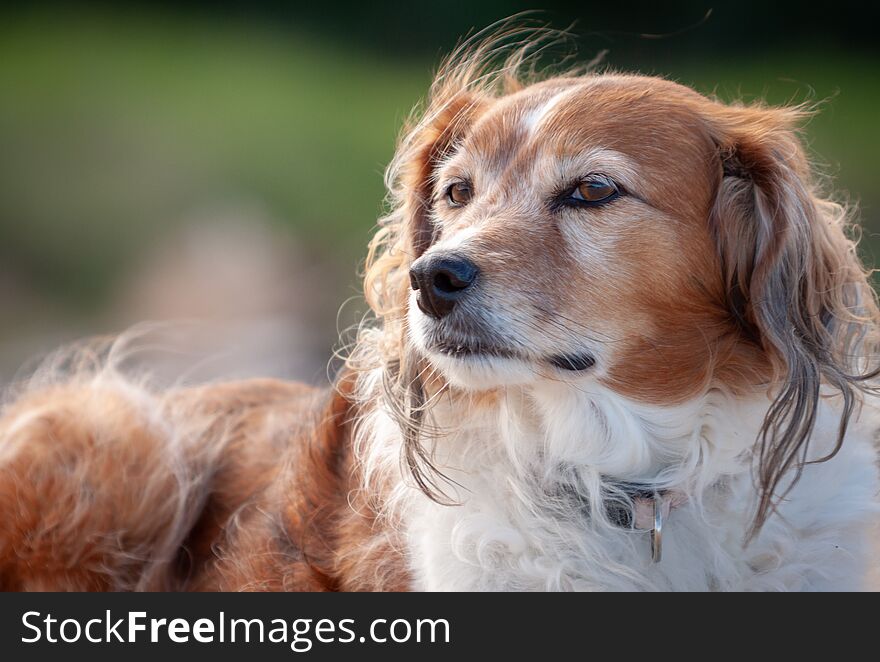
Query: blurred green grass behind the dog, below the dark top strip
{"type": "Point", "coordinates": [114, 127]}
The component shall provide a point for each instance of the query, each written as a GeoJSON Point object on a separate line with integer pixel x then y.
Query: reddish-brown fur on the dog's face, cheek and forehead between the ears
{"type": "Point", "coordinates": [682, 335]}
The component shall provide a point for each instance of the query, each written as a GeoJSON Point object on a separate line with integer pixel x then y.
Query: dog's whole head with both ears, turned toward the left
{"type": "Point", "coordinates": [621, 229]}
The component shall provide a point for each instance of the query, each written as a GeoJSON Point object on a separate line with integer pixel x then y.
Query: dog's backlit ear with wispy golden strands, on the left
{"type": "Point", "coordinates": [404, 234]}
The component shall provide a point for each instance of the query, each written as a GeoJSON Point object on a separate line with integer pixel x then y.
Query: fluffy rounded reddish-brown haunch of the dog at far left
{"type": "Point", "coordinates": [72, 499]}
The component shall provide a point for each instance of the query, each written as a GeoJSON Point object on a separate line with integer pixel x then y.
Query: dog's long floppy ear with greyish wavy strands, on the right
{"type": "Point", "coordinates": [795, 286]}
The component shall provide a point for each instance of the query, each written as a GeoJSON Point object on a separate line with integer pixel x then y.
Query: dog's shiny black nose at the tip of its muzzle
{"type": "Point", "coordinates": [441, 280]}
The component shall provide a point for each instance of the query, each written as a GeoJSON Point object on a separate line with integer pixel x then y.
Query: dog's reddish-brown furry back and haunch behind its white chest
{"type": "Point", "coordinates": [107, 486]}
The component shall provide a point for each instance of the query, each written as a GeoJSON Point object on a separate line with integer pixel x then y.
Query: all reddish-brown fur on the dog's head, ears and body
{"type": "Point", "coordinates": [255, 485]}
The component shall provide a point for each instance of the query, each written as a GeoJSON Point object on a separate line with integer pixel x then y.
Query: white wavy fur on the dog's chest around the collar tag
{"type": "Point", "coordinates": [513, 531]}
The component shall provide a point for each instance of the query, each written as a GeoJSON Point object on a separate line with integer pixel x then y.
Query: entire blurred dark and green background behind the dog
{"type": "Point", "coordinates": [223, 160]}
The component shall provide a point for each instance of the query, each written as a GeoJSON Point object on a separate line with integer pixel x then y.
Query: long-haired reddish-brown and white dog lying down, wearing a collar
{"type": "Point", "coordinates": [622, 341]}
